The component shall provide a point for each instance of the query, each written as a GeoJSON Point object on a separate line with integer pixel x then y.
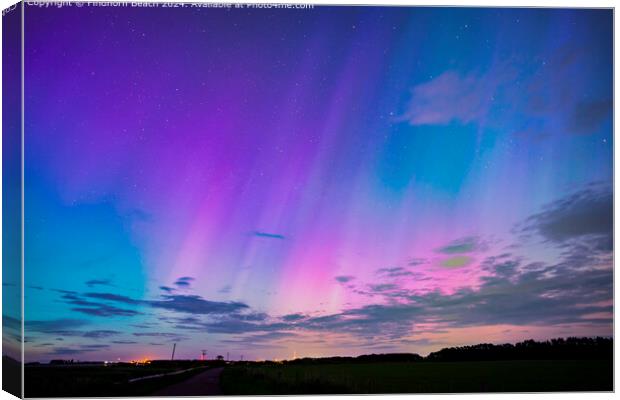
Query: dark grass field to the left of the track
{"type": "Point", "coordinates": [100, 381]}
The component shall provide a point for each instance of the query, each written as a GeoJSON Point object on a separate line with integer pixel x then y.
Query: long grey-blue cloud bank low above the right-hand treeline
{"type": "Point", "coordinates": [513, 296]}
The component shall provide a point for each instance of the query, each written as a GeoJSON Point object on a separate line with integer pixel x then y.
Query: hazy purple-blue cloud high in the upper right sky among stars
{"type": "Point", "coordinates": [539, 101]}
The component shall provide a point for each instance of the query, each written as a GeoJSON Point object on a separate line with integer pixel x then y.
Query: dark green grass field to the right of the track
{"type": "Point", "coordinates": [420, 377]}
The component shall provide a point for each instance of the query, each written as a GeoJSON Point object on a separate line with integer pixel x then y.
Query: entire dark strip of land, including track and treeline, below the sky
{"type": "Point", "coordinates": [556, 365]}
